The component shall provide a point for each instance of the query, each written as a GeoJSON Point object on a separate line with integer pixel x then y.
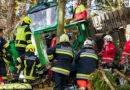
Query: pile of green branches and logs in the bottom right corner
{"type": "Point", "coordinates": [108, 80]}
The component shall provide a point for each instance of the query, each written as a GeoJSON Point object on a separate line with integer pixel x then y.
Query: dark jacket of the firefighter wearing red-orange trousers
{"type": "Point", "coordinates": [86, 60]}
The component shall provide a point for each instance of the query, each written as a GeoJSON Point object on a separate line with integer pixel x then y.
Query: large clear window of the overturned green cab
{"type": "Point", "coordinates": [43, 18]}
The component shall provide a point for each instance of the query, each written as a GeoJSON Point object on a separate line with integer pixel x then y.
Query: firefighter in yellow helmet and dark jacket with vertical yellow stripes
{"type": "Point", "coordinates": [29, 62]}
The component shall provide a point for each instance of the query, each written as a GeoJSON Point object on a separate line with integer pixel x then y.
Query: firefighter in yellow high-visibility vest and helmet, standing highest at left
{"type": "Point", "coordinates": [23, 36]}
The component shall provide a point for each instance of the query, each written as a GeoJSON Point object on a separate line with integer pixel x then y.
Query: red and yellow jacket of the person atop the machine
{"type": "Point", "coordinates": [81, 13]}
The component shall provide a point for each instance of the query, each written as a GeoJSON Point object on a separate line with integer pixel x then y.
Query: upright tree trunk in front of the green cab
{"type": "Point", "coordinates": [61, 13]}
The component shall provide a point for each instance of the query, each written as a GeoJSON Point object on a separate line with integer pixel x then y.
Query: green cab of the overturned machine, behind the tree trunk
{"type": "Point", "coordinates": [44, 23]}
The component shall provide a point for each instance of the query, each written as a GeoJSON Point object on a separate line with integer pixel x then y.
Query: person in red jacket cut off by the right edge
{"type": "Point", "coordinates": [126, 58]}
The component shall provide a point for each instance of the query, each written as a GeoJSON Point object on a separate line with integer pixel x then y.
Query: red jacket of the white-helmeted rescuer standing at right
{"type": "Point", "coordinates": [108, 53]}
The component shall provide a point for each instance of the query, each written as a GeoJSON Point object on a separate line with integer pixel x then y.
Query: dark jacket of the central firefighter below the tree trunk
{"type": "Point", "coordinates": [63, 53]}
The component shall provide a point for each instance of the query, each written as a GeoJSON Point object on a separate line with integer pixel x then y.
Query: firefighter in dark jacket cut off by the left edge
{"type": "Point", "coordinates": [4, 48]}
